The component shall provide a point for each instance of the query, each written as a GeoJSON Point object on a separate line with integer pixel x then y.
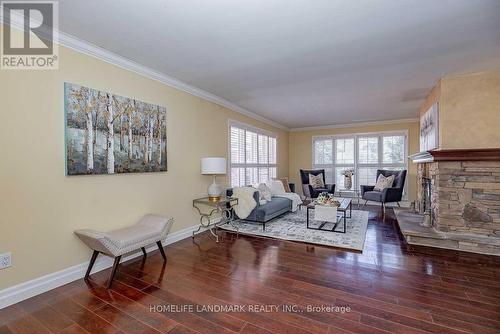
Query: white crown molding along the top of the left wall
{"type": "Point", "coordinates": [87, 48]}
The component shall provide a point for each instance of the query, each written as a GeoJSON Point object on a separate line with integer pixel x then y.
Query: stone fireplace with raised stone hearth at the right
{"type": "Point", "coordinates": [459, 192]}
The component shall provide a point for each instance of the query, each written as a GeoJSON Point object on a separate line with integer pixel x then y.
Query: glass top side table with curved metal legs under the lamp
{"type": "Point", "coordinates": [209, 211]}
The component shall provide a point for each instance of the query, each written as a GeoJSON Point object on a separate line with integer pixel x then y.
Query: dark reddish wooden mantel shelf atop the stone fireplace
{"type": "Point", "coordinates": [480, 154]}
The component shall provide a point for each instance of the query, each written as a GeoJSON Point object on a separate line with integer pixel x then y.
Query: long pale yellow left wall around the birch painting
{"type": "Point", "coordinates": [40, 206]}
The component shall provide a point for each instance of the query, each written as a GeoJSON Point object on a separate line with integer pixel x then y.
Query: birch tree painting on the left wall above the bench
{"type": "Point", "coordinates": [108, 134]}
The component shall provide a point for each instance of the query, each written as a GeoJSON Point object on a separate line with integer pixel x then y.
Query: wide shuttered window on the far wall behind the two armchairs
{"type": "Point", "coordinates": [365, 153]}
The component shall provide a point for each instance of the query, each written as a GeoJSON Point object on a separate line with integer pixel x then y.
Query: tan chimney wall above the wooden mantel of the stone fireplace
{"type": "Point", "coordinates": [469, 111]}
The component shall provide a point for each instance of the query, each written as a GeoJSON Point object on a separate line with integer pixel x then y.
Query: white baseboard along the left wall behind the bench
{"type": "Point", "coordinates": [51, 281]}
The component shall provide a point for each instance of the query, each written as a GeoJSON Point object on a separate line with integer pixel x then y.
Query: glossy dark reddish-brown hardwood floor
{"type": "Point", "coordinates": [388, 287]}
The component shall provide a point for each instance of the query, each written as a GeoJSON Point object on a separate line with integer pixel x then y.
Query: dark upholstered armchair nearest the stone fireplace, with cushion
{"type": "Point", "coordinates": [388, 195]}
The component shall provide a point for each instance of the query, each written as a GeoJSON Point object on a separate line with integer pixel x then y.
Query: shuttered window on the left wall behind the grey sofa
{"type": "Point", "coordinates": [253, 155]}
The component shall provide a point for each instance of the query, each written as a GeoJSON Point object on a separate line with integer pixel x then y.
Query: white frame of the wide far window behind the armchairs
{"type": "Point", "coordinates": [357, 165]}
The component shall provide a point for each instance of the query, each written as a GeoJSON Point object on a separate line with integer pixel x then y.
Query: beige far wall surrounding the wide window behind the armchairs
{"type": "Point", "coordinates": [300, 146]}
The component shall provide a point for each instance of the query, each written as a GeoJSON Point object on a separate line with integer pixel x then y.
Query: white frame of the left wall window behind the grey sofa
{"type": "Point", "coordinates": [258, 131]}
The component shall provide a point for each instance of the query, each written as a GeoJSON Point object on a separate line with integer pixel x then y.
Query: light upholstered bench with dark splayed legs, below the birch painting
{"type": "Point", "coordinates": [149, 230]}
